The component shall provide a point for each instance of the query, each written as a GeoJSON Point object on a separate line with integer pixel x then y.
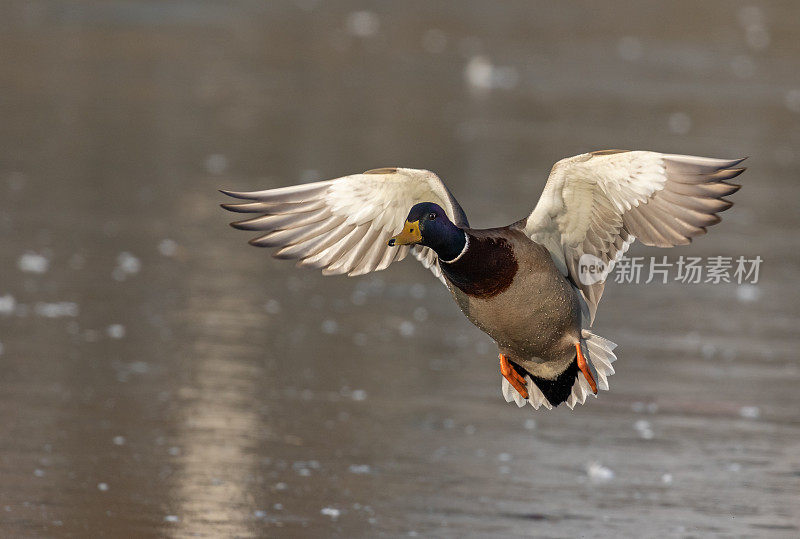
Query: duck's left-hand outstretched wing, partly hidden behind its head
{"type": "Point", "coordinates": [343, 225]}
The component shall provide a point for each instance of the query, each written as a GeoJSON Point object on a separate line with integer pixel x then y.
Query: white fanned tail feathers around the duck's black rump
{"type": "Point", "coordinates": [599, 353]}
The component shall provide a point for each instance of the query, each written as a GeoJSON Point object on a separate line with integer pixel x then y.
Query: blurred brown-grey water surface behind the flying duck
{"type": "Point", "coordinates": [163, 378]}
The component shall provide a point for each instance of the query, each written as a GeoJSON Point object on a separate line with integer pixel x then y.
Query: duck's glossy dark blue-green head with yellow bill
{"type": "Point", "coordinates": [427, 224]}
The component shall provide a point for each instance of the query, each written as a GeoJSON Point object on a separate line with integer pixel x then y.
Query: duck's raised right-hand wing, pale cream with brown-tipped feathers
{"type": "Point", "coordinates": [598, 203]}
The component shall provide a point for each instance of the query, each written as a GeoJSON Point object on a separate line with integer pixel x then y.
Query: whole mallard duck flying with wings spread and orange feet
{"type": "Point", "coordinates": [521, 284]}
